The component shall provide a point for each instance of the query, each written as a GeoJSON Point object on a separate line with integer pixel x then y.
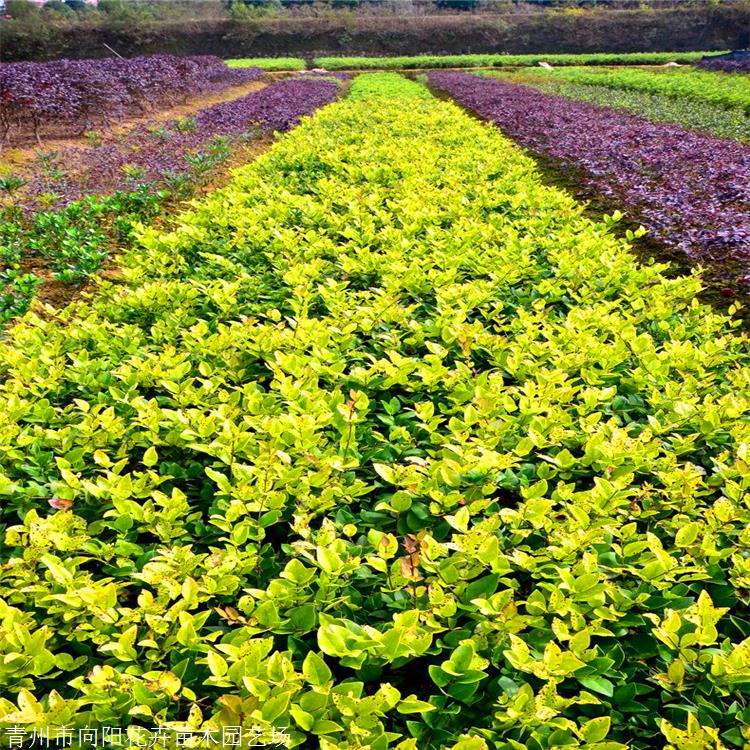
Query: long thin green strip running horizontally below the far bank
{"type": "Point", "coordinates": [486, 61]}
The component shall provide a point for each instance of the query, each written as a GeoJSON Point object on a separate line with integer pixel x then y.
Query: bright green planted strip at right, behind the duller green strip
{"type": "Point", "coordinates": [720, 89]}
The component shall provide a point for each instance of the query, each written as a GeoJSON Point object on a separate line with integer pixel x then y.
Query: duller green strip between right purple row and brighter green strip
{"type": "Point", "coordinates": [691, 114]}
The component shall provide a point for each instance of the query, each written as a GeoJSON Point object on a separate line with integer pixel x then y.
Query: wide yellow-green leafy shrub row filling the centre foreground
{"type": "Point", "coordinates": [388, 445]}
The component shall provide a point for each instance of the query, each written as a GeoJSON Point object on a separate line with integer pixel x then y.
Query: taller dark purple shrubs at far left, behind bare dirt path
{"type": "Point", "coordinates": [80, 94]}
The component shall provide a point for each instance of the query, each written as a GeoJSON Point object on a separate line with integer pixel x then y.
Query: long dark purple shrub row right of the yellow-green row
{"type": "Point", "coordinates": [691, 191]}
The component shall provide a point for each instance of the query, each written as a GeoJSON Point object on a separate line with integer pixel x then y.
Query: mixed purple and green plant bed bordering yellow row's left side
{"type": "Point", "coordinates": [65, 211]}
